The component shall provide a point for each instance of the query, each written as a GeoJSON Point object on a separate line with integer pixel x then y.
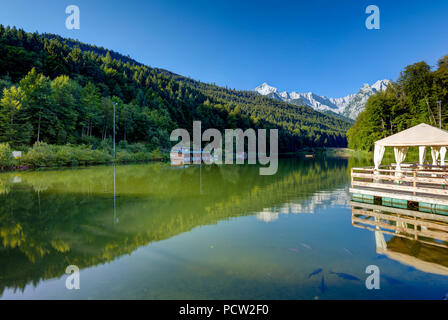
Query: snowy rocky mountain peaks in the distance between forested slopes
{"type": "Point", "coordinates": [349, 106]}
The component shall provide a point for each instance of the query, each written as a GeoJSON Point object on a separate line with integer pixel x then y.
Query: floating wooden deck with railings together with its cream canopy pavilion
{"type": "Point", "coordinates": [421, 185]}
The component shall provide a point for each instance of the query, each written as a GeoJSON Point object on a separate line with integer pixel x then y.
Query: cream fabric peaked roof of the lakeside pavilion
{"type": "Point", "coordinates": [419, 135]}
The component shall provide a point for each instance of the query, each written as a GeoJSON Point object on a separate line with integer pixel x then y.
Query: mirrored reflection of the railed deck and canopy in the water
{"type": "Point", "coordinates": [414, 238]}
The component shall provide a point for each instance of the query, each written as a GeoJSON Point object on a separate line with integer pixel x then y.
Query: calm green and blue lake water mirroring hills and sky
{"type": "Point", "coordinates": [202, 233]}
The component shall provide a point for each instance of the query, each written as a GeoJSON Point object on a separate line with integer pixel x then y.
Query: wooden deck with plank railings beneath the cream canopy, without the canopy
{"type": "Point", "coordinates": [414, 183]}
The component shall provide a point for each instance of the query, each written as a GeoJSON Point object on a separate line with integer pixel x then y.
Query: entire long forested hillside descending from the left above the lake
{"type": "Point", "coordinates": [62, 91]}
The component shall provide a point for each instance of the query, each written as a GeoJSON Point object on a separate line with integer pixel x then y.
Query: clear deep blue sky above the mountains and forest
{"type": "Point", "coordinates": [318, 46]}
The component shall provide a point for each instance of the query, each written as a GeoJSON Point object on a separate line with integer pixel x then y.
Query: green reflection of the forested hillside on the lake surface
{"type": "Point", "coordinates": [92, 216]}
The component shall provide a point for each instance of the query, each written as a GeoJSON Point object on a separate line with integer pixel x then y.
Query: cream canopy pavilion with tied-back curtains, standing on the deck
{"type": "Point", "coordinates": [421, 136]}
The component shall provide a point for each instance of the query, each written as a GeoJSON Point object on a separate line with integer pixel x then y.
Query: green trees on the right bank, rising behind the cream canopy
{"type": "Point", "coordinates": [411, 100]}
